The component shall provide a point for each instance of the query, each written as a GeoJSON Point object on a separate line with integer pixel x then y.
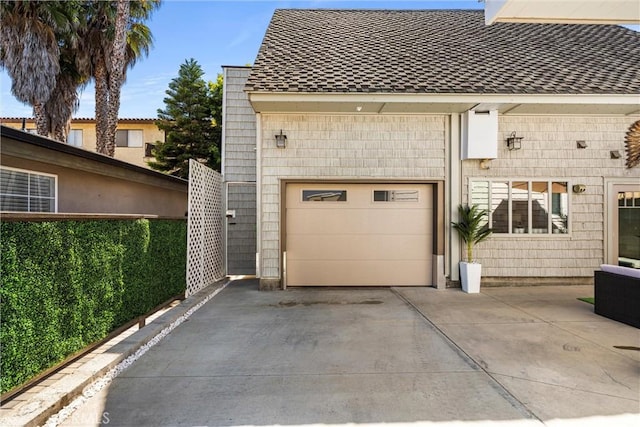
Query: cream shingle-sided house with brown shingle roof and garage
{"type": "Point", "coordinates": [370, 127]}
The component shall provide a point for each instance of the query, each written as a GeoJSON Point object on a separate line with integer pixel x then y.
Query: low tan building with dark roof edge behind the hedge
{"type": "Point", "coordinates": [38, 174]}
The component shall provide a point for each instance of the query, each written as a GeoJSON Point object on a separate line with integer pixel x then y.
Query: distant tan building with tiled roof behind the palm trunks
{"type": "Point", "coordinates": [134, 137]}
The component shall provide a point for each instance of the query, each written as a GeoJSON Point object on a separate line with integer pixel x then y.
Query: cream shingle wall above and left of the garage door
{"type": "Point", "coordinates": [344, 147]}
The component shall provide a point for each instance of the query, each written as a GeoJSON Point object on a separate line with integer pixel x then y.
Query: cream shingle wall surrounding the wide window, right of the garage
{"type": "Point", "coordinates": [549, 151]}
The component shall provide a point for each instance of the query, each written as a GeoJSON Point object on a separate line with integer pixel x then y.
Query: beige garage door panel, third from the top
{"type": "Point", "coordinates": [358, 247]}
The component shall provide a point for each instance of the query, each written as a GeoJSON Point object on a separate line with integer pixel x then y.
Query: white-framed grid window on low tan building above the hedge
{"type": "Point", "coordinates": [25, 191]}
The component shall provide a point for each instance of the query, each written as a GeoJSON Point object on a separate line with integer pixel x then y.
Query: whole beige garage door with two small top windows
{"type": "Point", "coordinates": [358, 234]}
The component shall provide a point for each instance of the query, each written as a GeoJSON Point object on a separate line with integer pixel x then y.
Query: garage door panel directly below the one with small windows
{"type": "Point", "coordinates": [358, 221]}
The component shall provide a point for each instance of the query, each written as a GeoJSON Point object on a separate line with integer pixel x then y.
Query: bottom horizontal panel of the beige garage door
{"type": "Point", "coordinates": [359, 273]}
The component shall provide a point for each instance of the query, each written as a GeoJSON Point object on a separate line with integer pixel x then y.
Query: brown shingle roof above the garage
{"type": "Point", "coordinates": [441, 51]}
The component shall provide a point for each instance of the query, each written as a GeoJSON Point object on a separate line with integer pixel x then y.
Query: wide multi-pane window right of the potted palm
{"type": "Point", "coordinates": [524, 206]}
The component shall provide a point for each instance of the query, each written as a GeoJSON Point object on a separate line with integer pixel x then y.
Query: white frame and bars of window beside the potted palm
{"type": "Point", "coordinates": [529, 230]}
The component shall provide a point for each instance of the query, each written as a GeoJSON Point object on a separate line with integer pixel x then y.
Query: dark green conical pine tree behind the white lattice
{"type": "Point", "coordinates": [187, 121]}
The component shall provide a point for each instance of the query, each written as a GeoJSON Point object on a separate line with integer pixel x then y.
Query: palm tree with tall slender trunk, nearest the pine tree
{"type": "Point", "coordinates": [112, 38]}
